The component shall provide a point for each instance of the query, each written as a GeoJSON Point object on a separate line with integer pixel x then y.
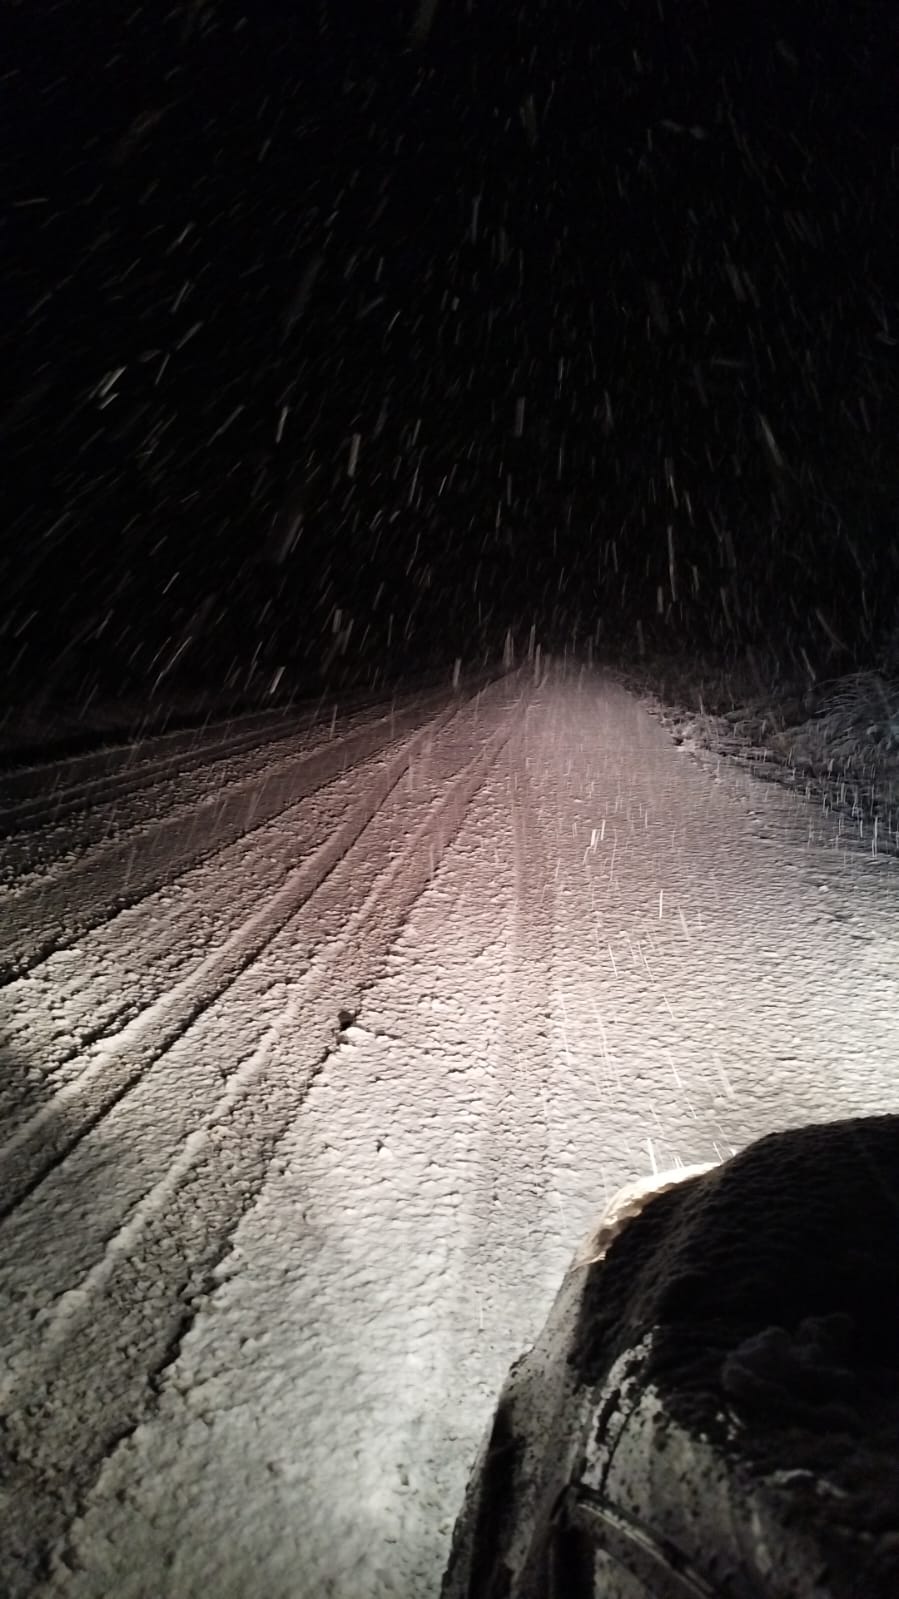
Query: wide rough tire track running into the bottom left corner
{"type": "Point", "coordinates": [73, 1398]}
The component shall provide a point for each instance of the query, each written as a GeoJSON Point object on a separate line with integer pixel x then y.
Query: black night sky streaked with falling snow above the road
{"type": "Point", "coordinates": [345, 338]}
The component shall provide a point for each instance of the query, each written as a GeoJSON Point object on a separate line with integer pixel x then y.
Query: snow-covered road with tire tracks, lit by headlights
{"type": "Point", "coordinates": [322, 1045]}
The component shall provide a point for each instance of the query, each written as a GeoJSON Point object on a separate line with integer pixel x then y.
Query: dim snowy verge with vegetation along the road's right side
{"type": "Point", "coordinates": [834, 743]}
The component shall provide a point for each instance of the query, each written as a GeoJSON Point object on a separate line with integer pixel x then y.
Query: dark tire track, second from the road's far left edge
{"type": "Point", "coordinates": [50, 914]}
